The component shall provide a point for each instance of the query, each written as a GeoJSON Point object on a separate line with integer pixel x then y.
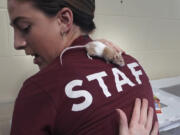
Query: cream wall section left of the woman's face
{"type": "Point", "coordinates": [15, 67]}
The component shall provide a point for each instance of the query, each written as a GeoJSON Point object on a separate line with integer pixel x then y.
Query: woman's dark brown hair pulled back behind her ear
{"type": "Point", "coordinates": [83, 11]}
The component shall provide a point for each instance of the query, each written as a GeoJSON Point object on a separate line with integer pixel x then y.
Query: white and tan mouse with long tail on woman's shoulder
{"type": "Point", "coordinates": [98, 49]}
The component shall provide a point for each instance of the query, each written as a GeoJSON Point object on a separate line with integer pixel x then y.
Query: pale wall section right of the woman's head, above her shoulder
{"type": "Point", "coordinates": [147, 29]}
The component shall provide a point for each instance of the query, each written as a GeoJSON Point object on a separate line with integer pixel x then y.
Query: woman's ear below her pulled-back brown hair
{"type": "Point", "coordinates": [65, 19]}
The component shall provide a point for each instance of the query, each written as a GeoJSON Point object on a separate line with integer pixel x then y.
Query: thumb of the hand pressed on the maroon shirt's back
{"type": "Point", "coordinates": [123, 124]}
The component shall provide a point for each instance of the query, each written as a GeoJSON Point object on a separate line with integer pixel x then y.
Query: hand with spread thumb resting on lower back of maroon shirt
{"type": "Point", "coordinates": [141, 121]}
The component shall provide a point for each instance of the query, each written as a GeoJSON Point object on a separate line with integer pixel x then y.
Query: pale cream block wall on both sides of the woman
{"type": "Point", "coordinates": [147, 29]}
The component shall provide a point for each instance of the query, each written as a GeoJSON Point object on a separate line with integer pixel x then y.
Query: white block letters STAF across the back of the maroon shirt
{"type": "Point", "coordinates": [120, 80]}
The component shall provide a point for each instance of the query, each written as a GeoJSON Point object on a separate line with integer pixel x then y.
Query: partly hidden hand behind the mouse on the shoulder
{"type": "Point", "coordinates": [111, 45]}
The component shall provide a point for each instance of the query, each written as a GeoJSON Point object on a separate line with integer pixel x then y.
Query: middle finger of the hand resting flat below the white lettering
{"type": "Point", "coordinates": [144, 109]}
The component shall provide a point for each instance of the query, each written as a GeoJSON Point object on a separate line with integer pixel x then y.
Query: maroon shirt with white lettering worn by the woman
{"type": "Point", "coordinates": [80, 96]}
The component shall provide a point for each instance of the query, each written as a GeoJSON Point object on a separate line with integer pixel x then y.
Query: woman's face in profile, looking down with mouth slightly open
{"type": "Point", "coordinates": [34, 32]}
